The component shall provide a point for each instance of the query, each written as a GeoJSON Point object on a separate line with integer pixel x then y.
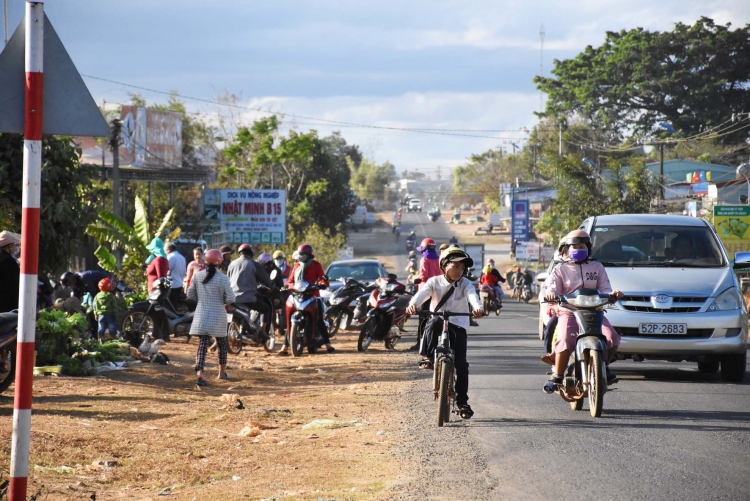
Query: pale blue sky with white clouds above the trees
{"type": "Point", "coordinates": [455, 66]}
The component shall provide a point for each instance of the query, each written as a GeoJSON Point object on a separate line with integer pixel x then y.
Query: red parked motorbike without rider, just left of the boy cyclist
{"type": "Point", "coordinates": [387, 312]}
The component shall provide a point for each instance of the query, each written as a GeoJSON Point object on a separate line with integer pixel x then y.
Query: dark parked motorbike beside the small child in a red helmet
{"type": "Point", "coordinates": [157, 316]}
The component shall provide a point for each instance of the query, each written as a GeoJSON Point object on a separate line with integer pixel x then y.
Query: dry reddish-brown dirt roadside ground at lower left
{"type": "Point", "coordinates": [163, 432]}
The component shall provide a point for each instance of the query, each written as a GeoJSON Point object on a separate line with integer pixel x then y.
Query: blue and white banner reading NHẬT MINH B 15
{"type": "Point", "coordinates": [250, 216]}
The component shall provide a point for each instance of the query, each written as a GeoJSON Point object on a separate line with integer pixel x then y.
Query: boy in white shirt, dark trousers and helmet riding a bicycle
{"type": "Point", "coordinates": [454, 263]}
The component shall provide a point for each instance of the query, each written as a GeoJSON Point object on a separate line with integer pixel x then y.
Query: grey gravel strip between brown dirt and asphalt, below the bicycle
{"type": "Point", "coordinates": [438, 463]}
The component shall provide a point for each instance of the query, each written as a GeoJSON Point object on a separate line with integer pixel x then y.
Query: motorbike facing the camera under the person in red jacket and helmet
{"type": "Point", "coordinates": [302, 317]}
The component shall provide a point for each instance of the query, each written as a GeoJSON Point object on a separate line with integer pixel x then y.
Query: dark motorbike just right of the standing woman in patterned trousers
{"type": "Point", "coordinates": [245, 325]}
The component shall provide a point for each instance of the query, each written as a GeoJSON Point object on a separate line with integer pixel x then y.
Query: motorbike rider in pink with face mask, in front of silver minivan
{"type": "Point", "coordinates": [578, 270]}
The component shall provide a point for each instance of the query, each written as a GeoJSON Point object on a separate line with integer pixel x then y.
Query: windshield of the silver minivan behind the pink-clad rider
{"type": "Point", "coordinates": [643, 246]}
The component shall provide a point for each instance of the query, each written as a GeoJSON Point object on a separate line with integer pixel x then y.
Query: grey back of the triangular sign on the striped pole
{"type": "Point", "coordinates": [68, 108]}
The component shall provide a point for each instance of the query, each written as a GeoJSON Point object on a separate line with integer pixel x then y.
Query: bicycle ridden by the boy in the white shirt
{"type": "Point", "coordinates": [444, 374]}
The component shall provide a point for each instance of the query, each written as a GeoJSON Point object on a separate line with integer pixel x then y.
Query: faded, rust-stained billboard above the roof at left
{"type": "Point", "coordinates": [151, 138]}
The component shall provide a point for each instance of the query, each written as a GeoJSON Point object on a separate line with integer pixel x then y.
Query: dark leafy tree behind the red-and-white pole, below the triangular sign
{"type": "Point", "coordinates": [70, 196]}
